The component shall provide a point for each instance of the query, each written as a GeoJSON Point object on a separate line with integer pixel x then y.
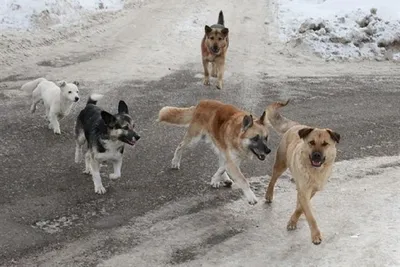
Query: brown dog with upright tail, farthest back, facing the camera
{"type": "Point", "coordinates": [213, 50]}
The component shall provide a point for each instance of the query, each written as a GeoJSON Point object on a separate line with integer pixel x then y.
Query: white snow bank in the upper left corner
{"type": "Point", "coordinates": [21, 14]}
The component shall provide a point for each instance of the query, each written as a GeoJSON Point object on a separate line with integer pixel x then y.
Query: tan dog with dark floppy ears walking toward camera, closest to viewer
{"type": "Point", "coordinates": [309, 153]}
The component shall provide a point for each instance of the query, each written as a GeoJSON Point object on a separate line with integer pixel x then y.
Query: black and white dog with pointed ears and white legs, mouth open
{"type": "Point", "coordinates": [105, 135]}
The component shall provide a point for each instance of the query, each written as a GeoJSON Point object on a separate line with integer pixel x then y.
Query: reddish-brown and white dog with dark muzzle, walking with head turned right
{"type": "Point", "coordinates": [234, 134]}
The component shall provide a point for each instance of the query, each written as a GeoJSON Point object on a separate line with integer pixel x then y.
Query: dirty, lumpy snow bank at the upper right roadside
{"type": "Point", "coordinates": [343, 29]}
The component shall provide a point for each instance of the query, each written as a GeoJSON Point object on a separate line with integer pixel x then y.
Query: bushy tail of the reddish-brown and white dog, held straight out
{"type": "Point", "coordinates": [177, 116]}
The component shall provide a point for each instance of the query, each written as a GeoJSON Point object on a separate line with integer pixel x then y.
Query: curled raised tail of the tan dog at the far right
{"type": "Point", "coordinates": [277, 121]}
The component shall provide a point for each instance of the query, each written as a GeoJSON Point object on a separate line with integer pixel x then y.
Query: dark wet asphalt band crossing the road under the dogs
{"type": "Point", "coordinates": [46, 200]}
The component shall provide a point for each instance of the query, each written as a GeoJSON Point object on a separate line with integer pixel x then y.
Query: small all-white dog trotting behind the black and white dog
{"type": "Point", "coordinates": [57, 99]}
